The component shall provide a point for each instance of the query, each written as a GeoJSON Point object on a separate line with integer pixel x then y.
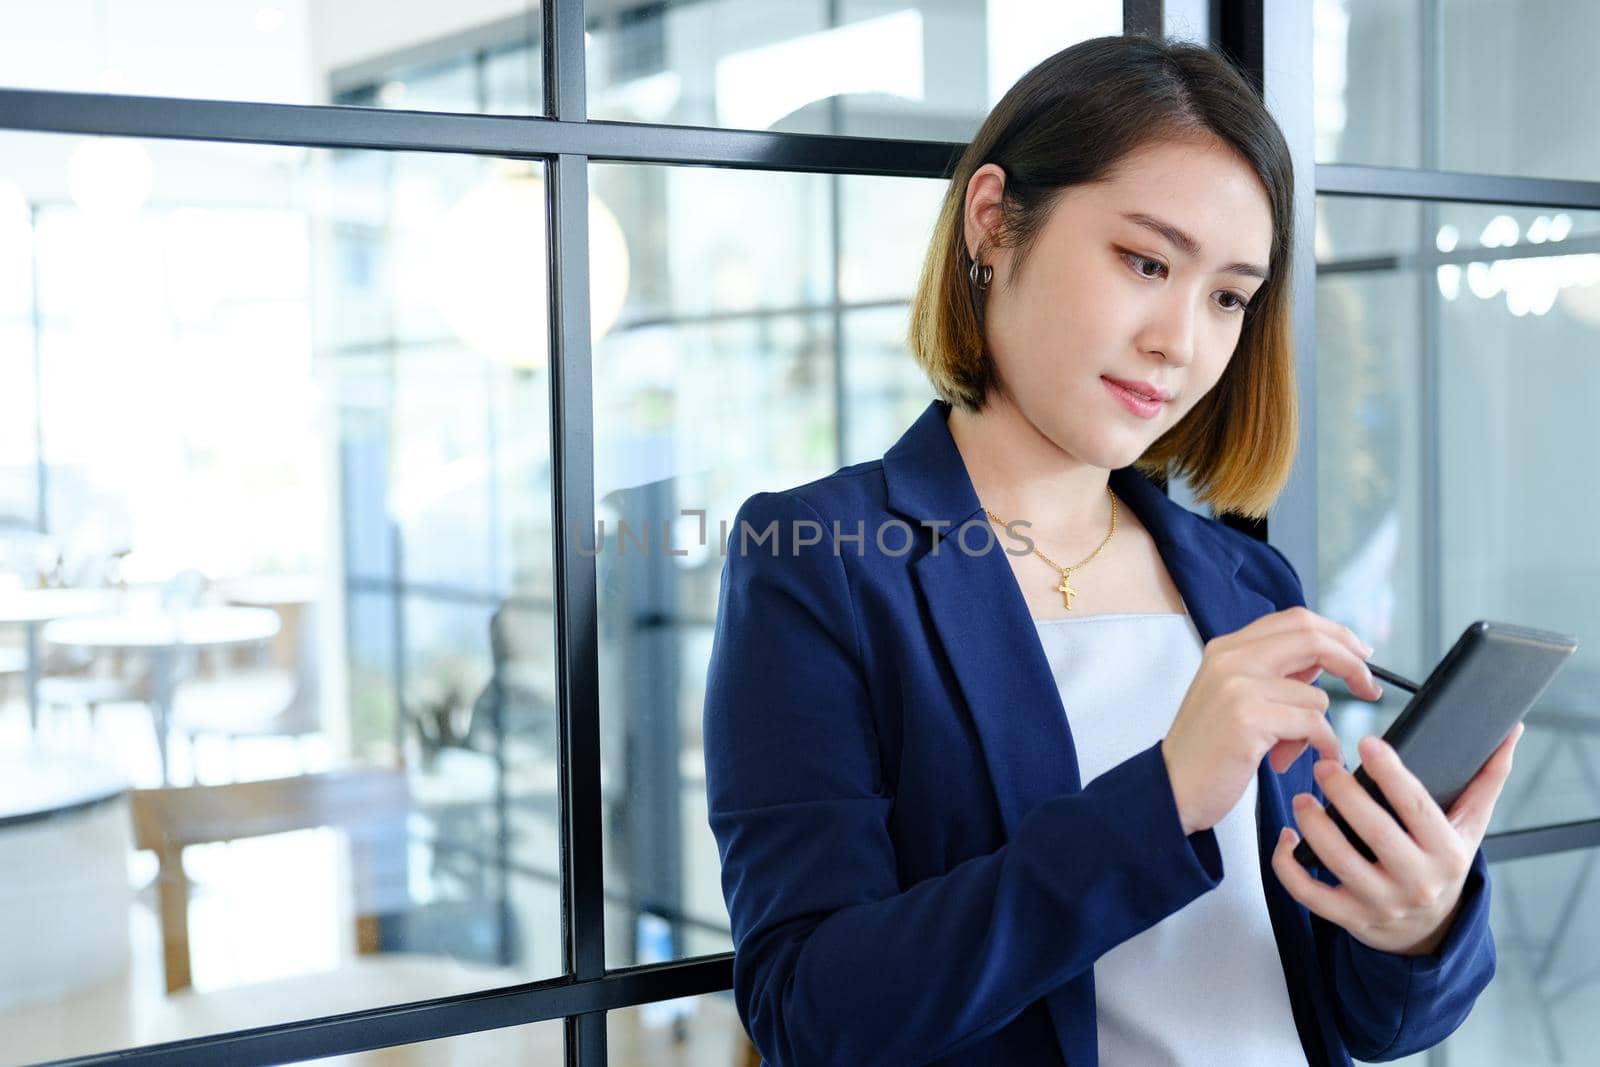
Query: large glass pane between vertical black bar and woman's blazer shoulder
{"type": "Point", "coordinates": [740, 362]}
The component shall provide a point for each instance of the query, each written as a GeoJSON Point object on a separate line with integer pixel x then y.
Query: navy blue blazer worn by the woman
{"type": "Point", "coordinates": [913, 868]}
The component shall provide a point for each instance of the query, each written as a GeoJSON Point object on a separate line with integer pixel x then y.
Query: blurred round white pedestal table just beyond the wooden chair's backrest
{"type": "Point", "coordinates": [164, 634]}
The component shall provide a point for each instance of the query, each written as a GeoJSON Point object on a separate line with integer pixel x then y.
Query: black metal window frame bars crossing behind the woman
{"type": "Point", "coordinates": [567, 142]}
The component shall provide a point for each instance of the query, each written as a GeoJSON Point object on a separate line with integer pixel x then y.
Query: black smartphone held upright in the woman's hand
{"type": "Point", "coordinates": [1462, 713]}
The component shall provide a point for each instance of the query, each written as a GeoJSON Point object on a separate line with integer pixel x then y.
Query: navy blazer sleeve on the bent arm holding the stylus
{"type": "Point", "coordinates": [836, 962]}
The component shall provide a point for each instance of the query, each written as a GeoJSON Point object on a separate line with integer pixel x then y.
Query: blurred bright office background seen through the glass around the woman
{"type": "Point", "coordinates": [279, 618]}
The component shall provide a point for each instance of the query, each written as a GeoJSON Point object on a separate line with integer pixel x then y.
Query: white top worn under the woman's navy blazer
{"type": "Point", "coordinates": [1206, 985]}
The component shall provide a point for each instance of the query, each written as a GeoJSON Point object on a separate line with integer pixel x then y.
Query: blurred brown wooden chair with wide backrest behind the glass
{"type": "Point", "coordinates": [370, 805]}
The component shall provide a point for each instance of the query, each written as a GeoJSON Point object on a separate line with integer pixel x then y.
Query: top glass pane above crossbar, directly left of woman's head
{"type": "Point", "coordinates": [916, 70]}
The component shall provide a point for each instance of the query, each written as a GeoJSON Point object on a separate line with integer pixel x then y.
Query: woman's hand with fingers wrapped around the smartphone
{"type": "Point", "coordinates": [1407, 901]}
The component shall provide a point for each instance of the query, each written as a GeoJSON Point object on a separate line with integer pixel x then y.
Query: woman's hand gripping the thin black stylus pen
{"type": "Point", "coordinates": [1254, 697]}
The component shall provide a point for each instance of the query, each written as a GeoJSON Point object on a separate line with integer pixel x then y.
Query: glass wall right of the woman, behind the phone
{"type": "Point", "coordinates": [1455, 431]}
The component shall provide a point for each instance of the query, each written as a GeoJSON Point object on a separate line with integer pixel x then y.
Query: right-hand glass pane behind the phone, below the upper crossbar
{"type": "Point", "coordinates": [1510, 302]}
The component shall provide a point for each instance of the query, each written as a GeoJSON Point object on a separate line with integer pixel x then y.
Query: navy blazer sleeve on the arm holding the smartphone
{"type": "Point", "coordinates": [1394, 1005]}
